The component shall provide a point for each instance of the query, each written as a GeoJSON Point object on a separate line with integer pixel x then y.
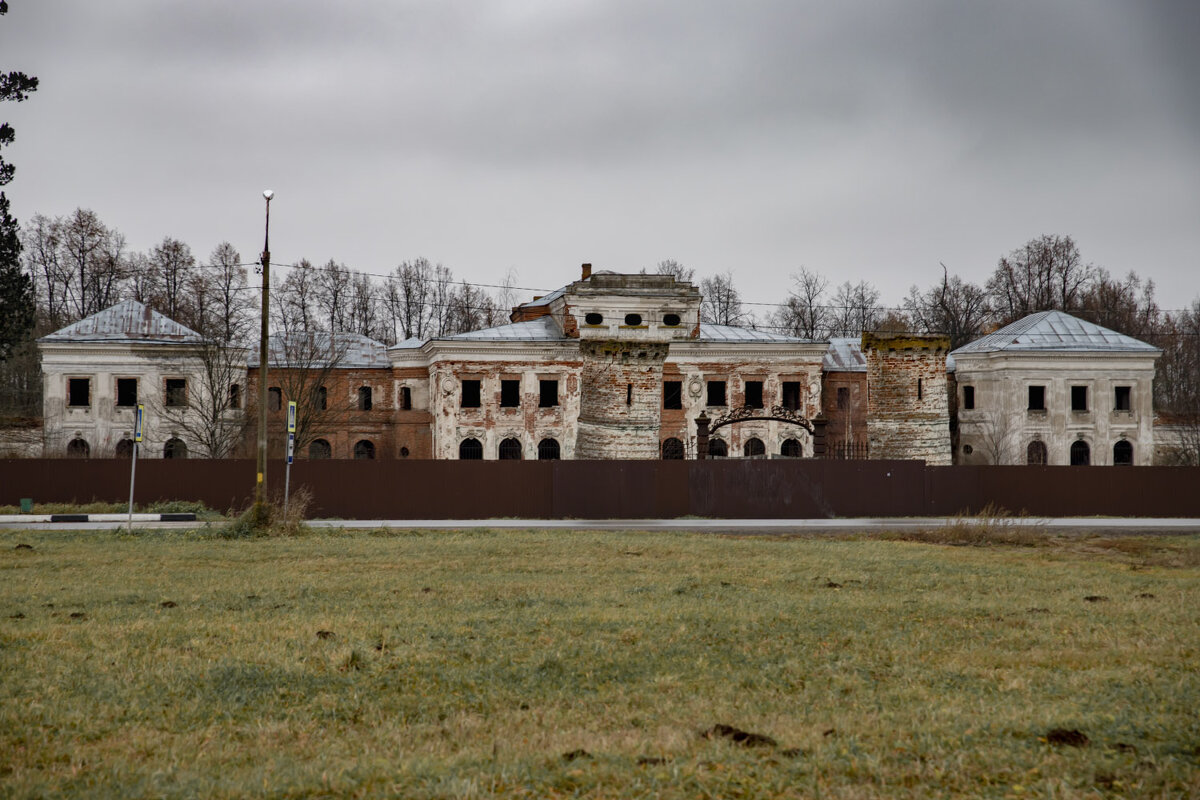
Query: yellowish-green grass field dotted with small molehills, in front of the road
{"type": "Point", "coordinates": [550, 664]}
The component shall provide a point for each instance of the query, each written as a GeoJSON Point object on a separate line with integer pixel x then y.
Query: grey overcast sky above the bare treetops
{"type": "Point", "coordinates": [865, 141]}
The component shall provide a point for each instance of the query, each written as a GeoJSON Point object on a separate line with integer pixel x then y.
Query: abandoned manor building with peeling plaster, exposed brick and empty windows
{"type": "Point", "coordinates": [613, 366]}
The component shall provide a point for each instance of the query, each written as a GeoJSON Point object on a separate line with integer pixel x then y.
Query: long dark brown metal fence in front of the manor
{"type": "Point", "coordinates": [724, 489]}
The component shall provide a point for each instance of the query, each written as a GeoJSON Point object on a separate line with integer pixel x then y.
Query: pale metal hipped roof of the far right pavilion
{"type": "Point", "coordinates": [1057, 332]}
